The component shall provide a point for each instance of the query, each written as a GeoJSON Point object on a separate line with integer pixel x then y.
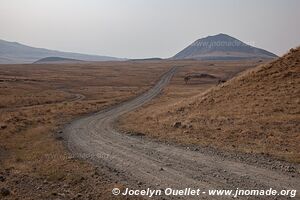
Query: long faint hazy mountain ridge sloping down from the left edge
{"type": "Point", "coordinates": [14, 53]}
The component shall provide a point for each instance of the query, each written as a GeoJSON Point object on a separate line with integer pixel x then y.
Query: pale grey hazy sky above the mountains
{"type": "Point", "coordinates": [147, 28]}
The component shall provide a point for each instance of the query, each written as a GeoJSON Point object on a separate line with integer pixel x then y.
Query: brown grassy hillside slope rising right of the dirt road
{"type": "Point", "coordinates": [256, 112]}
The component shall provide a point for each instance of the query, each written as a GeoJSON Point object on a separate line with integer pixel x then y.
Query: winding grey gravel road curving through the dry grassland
{"type": "Point", "coordinates": [141, 163]}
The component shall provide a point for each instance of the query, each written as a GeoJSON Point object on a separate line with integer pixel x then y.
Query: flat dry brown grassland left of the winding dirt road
{"type": "Point", "coordinates": [37, 100]}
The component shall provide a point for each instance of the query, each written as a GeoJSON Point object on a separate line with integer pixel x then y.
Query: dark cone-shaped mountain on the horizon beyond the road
{"type": "Point", "coordinates": [222, 47]}
